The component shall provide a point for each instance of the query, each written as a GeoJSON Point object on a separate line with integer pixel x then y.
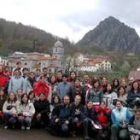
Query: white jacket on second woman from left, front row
{"type": "Point", "coordinates": [27, 109]}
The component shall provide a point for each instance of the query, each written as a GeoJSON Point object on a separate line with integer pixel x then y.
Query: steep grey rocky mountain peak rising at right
{"type": "Point", "coordinates": [111, 34]}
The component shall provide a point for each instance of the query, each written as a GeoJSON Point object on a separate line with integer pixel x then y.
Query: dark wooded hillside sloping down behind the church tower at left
{"type": "Point", "coordinates": [18, 37]}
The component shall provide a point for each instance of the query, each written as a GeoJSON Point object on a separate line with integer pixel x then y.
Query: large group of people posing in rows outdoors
{"type": "Point", "coordinates": [69, 105]}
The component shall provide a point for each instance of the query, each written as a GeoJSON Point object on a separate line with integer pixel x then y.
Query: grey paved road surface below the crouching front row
{"type": "Point", "coordinates": [33, 134]}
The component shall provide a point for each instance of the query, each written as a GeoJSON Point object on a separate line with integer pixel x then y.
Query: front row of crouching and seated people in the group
{"type": "Point", "coordinates": [65, 118]}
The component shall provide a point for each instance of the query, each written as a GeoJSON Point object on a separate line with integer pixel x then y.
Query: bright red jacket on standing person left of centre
{"type": "Point", "coordinates": [41, 88]}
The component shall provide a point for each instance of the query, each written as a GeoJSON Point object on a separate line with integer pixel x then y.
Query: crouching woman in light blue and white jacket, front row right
{"type": "Point", "coordinates": [120, 117]}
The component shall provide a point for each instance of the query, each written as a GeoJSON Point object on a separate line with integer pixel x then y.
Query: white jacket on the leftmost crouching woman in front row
{"type": "Point", "coordinates": [14, 107]}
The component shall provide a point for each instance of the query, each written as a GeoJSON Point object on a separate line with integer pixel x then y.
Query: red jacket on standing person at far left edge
{"type": "Point", "coordinates": [3, 79]}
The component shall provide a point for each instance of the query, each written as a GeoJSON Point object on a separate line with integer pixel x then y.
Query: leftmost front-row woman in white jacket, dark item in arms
{"type": "Point", "coordinates": [10, 110]}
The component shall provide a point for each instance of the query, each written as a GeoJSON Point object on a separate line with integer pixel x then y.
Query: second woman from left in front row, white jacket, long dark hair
{"type": "Point", "coordinates": [26, 112]}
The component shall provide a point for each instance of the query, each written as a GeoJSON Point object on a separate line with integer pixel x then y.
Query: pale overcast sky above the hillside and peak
{"type": "Point", "coordinates": [70, 18]}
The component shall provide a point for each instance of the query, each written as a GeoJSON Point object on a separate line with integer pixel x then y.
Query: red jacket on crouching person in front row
{"type": "Point", "coordinates": [102, 115]}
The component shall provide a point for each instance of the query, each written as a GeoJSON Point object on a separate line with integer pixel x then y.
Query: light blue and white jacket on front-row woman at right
{"type": "Point", "coordinates": [121, 116]}
